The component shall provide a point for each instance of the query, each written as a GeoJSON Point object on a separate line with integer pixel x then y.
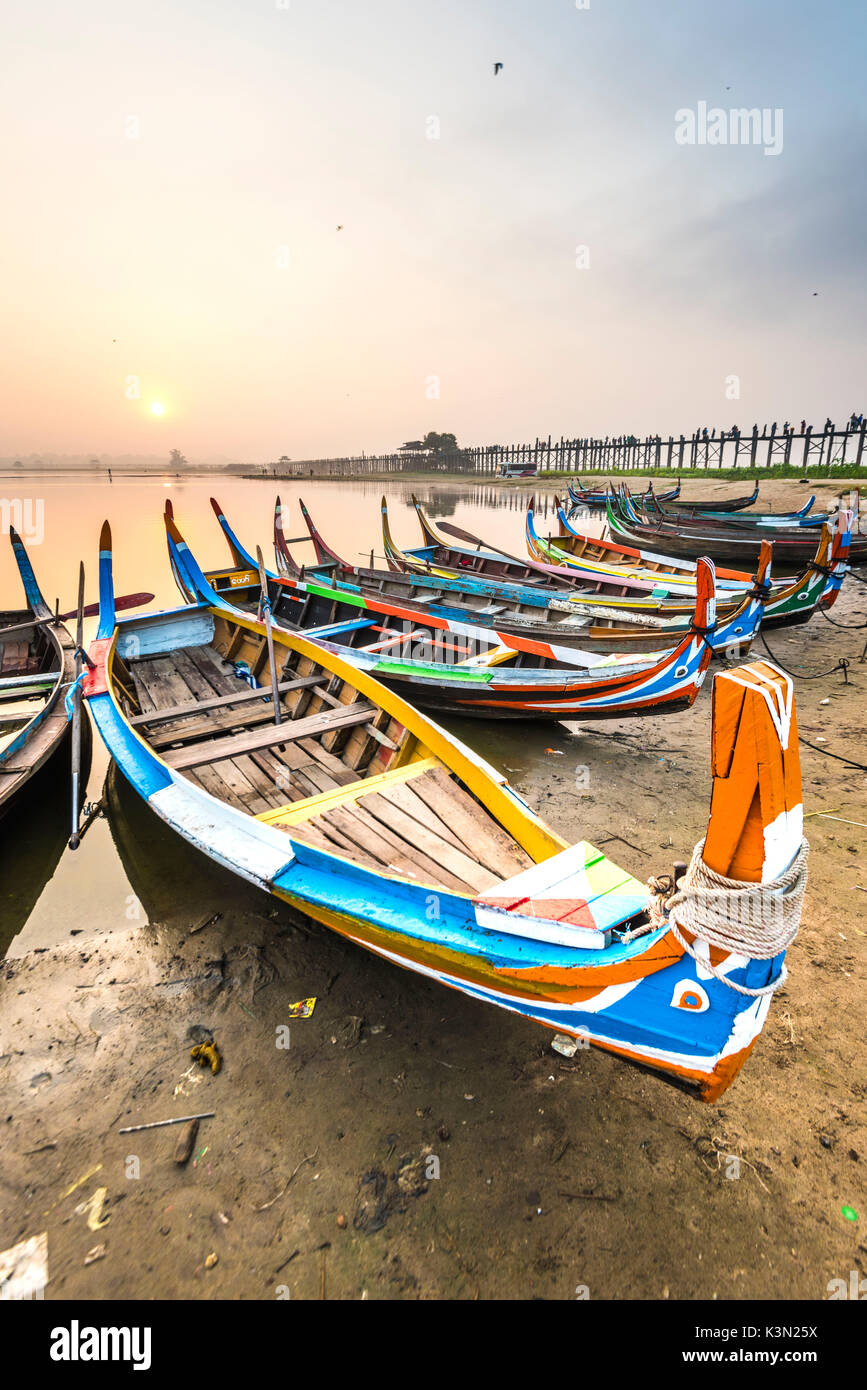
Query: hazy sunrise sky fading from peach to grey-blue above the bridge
{"type": "Point", "coordinates": [174, 176]}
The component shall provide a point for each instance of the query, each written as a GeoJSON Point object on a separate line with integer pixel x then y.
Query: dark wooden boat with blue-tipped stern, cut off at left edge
{"type": "Point", "coordinates": [37, 668]}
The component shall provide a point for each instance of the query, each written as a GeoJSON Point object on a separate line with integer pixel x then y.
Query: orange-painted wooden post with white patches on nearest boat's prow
{"type": "Point", "coordinates": [757, 808]}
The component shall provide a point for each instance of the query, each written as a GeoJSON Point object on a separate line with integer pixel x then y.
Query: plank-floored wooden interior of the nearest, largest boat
{"type": "Point", "coordinates": [338, 772]}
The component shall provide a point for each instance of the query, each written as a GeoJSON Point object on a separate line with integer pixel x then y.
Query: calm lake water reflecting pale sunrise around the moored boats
{"type": "Point", "coordinates": [51, 896]}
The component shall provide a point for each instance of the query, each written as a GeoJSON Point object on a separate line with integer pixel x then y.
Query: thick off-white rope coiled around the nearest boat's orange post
{"type": "Point", "coordinates": [752, 919]}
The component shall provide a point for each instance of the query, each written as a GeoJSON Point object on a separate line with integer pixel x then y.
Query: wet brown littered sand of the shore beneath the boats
{"type": "Point", "coordinates": [554, 1175]}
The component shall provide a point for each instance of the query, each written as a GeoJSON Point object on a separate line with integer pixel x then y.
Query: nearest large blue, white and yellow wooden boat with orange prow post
{"type": "Point", "coordinates": [361, 812]}
